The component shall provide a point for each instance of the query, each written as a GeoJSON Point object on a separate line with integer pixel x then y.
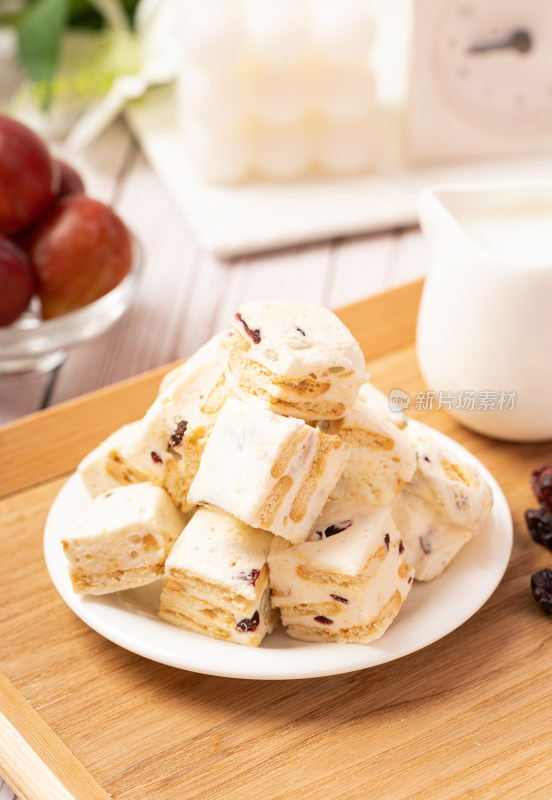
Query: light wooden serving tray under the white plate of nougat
{"type": "Point", "coordinates": [82, 718]}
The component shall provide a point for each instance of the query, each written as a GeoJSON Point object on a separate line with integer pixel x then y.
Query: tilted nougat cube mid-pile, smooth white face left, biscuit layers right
{"type": "Point", "coordinates": [270, 471]}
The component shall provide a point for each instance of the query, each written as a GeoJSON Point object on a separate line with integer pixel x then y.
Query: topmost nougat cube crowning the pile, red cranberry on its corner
{"type": "Point", "coordinates": [298, 359]}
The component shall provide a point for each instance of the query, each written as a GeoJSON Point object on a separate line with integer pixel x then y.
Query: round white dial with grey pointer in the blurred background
{"type": "Point", "coordinates": [493, 62]}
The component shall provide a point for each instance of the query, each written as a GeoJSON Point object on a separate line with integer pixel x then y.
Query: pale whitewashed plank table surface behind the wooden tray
{"type": "Point", "coordinates": [186, 294]}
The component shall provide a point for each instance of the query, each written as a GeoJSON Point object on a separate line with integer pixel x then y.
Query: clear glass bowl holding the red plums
{"type": "Point", "coordinates": [34, 344]}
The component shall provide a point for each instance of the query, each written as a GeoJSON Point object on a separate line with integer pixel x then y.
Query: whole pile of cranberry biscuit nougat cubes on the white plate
{"type": "Point", "coordinates": [269, 480]}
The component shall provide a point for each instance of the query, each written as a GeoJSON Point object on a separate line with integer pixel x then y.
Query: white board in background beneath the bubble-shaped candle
{"type": "Point", "coordinates": [232, 221]}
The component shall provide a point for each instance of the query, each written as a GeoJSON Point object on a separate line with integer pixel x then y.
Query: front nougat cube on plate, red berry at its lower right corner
{"type": "Point", "coordinates": [216, 580]}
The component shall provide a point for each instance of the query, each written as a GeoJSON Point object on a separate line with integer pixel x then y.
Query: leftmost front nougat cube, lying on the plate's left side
{"type": "Point", "coordinates": [121, 539]}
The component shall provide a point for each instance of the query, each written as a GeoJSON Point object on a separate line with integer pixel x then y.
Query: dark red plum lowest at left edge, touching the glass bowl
{"type": "Point", "coordinates": [17, 282]}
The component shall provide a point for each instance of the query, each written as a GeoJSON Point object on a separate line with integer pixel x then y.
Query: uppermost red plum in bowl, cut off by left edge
{"type": "Point", "coordinates": [29, 178]}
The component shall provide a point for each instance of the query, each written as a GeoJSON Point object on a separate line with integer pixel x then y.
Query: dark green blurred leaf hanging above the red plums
{"type": "Point", "coordinates": [39, 35]}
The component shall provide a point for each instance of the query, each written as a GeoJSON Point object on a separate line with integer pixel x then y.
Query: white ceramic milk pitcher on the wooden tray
{"type": "Point", "coordinates": [484, 336]}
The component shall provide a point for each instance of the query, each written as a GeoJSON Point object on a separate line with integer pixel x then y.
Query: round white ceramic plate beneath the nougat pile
{"type": "Point", "coordinates": [430, 611]}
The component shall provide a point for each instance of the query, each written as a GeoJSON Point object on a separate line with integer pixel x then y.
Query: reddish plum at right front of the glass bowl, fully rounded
{"type": "Point", "coordinates": [79, 251]}
